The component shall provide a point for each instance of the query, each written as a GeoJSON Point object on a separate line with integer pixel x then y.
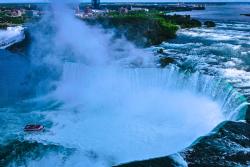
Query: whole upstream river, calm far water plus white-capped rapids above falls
{"type": "Point", "coordinates": [220, 51]}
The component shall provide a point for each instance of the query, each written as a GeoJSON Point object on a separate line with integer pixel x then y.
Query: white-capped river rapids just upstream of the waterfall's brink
{"type": "Point", "coordinates": [221, 51]}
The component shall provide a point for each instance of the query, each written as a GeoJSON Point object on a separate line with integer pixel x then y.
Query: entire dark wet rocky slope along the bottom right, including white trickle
{"type": "Point", "coordinates": [227, 145]}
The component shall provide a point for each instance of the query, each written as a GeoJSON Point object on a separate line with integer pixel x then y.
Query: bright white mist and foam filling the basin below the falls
{"type": "Point", "coordinates": [117, 115]}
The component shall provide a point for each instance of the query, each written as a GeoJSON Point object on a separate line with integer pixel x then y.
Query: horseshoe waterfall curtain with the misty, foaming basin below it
{"type": "Point", "coordinates": [109, 115]}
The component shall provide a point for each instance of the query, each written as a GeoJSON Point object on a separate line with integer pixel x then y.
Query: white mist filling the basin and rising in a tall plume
{"type": "Point", "coordinates": [111, 115]}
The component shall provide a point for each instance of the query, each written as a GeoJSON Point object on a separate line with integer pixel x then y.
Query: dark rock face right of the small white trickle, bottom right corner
{"type": "Point", "coordinates": [228, 146]}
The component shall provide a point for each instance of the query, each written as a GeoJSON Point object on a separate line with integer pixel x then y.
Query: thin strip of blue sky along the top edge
{"type": "Point", "coordinates": [7, 1]}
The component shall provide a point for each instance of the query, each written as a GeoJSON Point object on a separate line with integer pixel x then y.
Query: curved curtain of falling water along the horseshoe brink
{"type": "Point", "coordinates": [232, 103]}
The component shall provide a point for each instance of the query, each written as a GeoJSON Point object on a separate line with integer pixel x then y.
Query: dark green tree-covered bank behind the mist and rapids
{"type": "Point", "coordinates": [145, 28]}
